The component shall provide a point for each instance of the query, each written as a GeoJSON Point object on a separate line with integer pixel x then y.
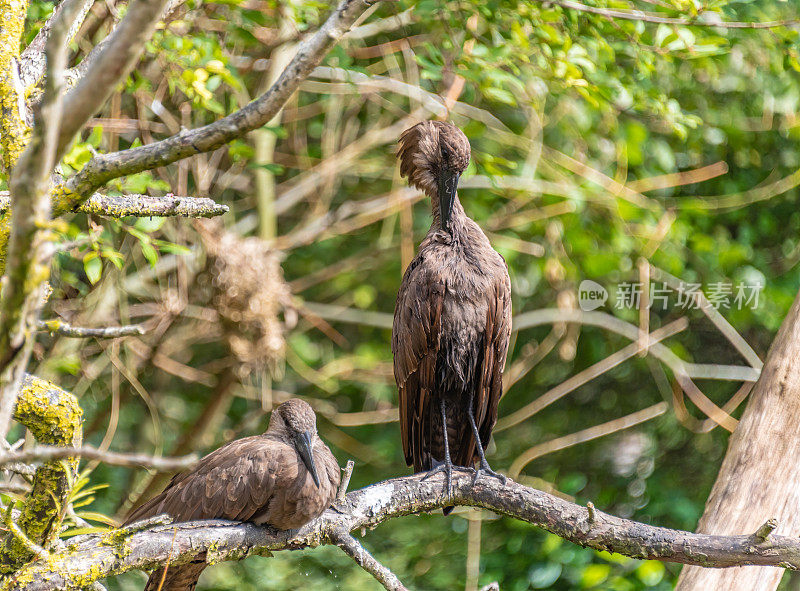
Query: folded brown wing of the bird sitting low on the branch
{"type": "Point", "coordinates": [234, 482]}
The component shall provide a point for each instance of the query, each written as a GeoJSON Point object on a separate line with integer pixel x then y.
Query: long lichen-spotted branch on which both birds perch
{"type": "Point", "coordinates": [89, 558]}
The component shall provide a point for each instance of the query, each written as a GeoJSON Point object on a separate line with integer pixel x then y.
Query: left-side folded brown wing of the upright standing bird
{"type": "Point", "coordinates": [415, 345]}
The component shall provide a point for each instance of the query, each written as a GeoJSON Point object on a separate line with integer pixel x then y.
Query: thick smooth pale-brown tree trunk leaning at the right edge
{"type": "Point", "coordinates": [760, 475]}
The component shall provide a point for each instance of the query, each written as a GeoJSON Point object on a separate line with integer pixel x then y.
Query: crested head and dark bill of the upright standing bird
{"type": "Point", "coordinates": [433, 154]}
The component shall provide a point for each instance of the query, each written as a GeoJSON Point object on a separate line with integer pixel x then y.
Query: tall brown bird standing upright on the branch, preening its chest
{"type": "Point", "coordinates": [452, 320]}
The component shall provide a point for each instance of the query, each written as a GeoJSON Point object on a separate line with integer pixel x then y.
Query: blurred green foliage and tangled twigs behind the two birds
{"type": "Point", "coordinates": [599, 145]}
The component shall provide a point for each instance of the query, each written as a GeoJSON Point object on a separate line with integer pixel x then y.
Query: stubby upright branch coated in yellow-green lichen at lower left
{"type": "Point", "coordinates": [54, 418]}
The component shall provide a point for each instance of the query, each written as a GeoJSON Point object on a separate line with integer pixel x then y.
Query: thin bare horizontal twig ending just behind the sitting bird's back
{"type": "Point", "coordinates": [46, 453]}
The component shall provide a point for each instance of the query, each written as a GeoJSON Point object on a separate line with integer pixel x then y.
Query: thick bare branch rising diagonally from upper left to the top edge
{"type": "Point", "coordinates": [310, 53]}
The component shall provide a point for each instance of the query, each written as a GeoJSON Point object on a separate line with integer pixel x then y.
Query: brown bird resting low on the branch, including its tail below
{"type": "Point", "coordinates": [283, 478]}
